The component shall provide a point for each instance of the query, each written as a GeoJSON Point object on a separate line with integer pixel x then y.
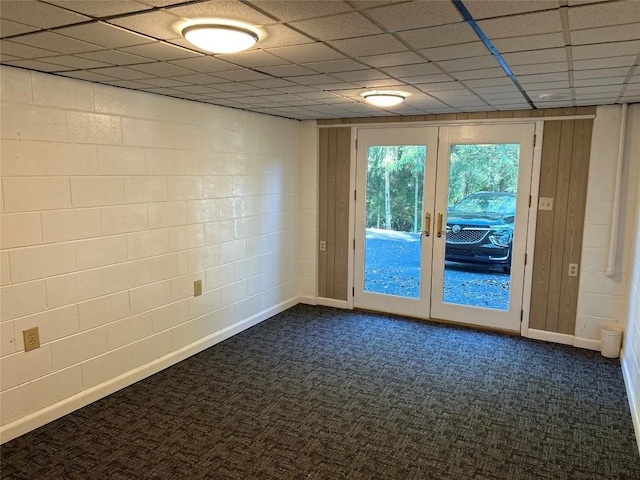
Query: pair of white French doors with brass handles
{"type": "Point", "coordinates": [441, 222]}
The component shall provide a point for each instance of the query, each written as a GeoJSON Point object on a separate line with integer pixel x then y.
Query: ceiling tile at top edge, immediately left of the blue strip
{"type": "Point", "coordinates": [412, 15]}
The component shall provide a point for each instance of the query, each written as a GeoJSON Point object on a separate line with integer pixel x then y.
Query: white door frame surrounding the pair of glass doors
{"type": "Point", "coordinates": [533, 208]}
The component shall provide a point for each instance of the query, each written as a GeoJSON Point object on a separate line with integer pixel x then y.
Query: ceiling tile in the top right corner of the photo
{"type": "Point", "coordinates": [604, 14]}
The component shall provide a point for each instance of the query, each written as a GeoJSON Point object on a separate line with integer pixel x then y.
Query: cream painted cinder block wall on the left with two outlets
{"type": "Point", "coordinates": [113, 203]}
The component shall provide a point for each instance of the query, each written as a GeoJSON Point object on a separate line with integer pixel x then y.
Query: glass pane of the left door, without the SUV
{"type": "Point", "coordinates": [395, 183]}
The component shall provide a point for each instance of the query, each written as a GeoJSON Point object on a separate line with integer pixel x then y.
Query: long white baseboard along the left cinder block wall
{"type": "Point", "coordinates": [53, 412]}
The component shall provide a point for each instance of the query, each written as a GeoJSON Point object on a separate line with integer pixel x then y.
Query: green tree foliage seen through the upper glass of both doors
{"type": "Point", "coordinates": [395, 180]}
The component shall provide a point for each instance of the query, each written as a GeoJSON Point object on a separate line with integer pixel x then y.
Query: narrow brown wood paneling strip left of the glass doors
{"type": "Point", "coordinates": [334, 158]}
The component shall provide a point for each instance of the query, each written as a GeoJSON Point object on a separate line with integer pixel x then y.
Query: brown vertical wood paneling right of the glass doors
{"type": "Point", "coordinates": [563, 177]}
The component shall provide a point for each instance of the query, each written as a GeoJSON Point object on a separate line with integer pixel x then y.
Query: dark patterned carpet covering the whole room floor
{"type": "Point", "coordinates": [320, 393]}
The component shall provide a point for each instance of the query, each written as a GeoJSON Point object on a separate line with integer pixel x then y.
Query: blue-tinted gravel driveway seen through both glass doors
{"type": "Point", "coordinates": [392, 261]}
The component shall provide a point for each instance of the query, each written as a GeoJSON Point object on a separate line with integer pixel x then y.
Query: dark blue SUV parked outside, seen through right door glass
{"type": "Point", "coordinates": [480, 229]}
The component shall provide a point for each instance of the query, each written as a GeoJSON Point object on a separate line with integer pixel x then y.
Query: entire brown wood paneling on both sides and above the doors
{"type": "Point", "coordinates": [563, 177]}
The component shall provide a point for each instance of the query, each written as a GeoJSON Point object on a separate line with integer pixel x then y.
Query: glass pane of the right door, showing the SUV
{"type": "Point", "coordinates": [481, 209]}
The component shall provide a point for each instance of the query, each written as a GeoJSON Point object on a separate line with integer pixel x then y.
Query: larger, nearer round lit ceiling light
{"type": "Point", "coordinates": [218, 38]}
